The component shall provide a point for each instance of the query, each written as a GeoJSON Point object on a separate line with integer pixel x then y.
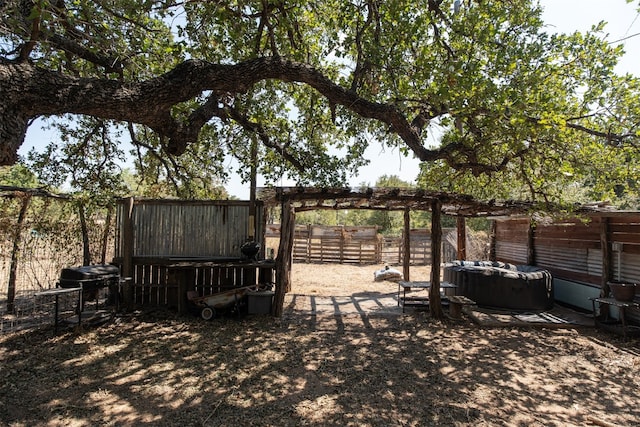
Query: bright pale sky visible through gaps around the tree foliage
{"type": "Point", "coordinates": [562, 16]}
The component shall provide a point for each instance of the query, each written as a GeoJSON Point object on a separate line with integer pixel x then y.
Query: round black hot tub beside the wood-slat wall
{"type": "Point", "coordinates": [502, 285]}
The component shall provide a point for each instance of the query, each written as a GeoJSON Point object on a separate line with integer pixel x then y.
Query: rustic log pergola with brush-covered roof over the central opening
{"type": "Point", "coordinates": [297, 199]}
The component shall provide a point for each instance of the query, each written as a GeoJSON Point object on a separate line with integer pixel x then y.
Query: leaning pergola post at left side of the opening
{"type": "Point", "coordinates": [283, 260]}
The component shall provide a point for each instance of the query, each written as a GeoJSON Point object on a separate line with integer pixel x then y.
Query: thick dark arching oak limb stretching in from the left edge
{"type": "Point", "coordinates": [29, 92]}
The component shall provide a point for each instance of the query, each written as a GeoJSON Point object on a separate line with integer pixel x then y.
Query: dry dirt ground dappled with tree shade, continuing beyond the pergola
{"type": "Point", "coordinates": [318, 368]}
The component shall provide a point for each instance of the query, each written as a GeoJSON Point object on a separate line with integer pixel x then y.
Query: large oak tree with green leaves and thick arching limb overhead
{"type": "Point", "coordinates": [477, 90]}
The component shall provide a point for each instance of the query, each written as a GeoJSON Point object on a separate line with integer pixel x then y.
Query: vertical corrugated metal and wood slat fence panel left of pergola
{"type": "Point", "coordinates": [153, 236]}
